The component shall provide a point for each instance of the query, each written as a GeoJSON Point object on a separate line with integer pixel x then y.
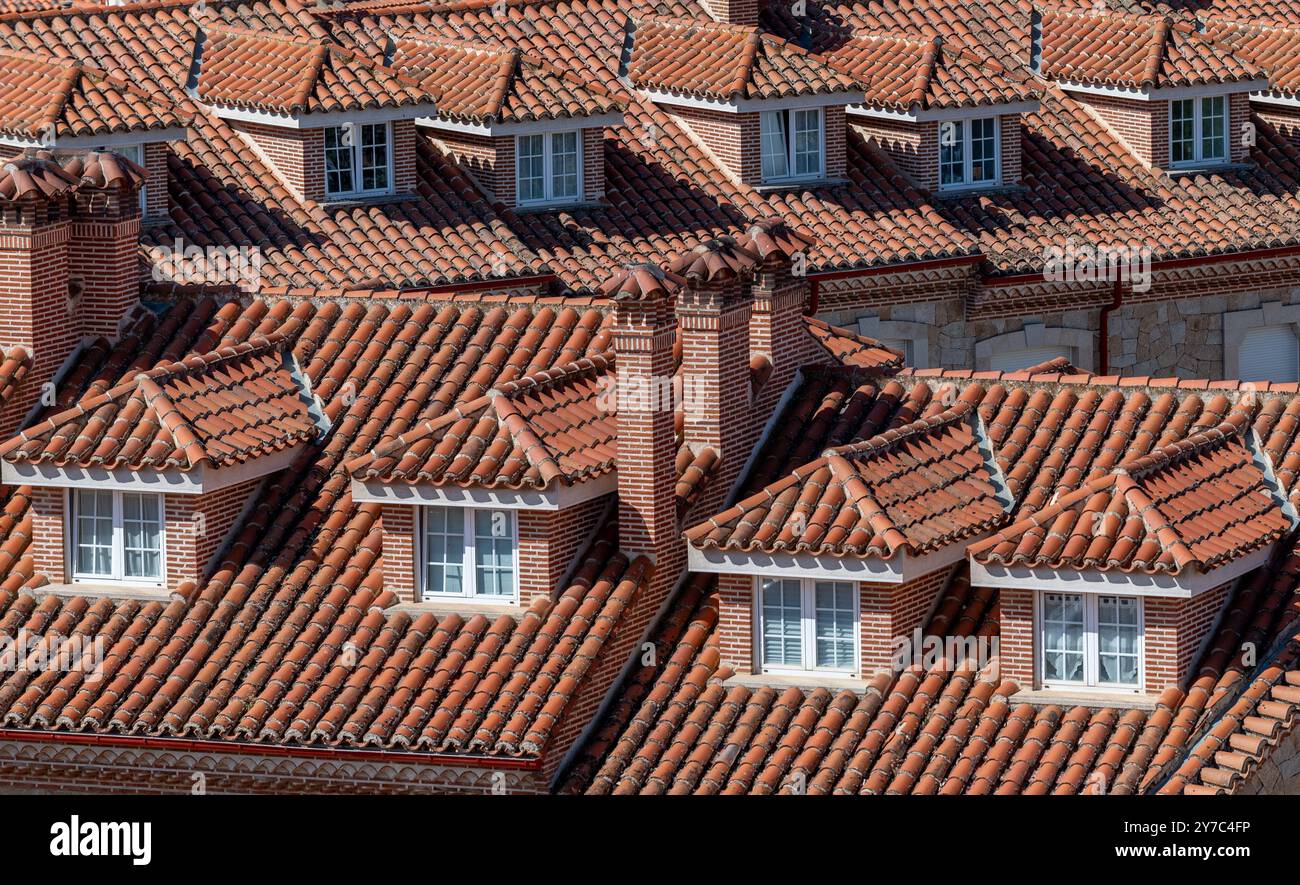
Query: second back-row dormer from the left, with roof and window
{"type": "Point", "coordinates": [332, 124]}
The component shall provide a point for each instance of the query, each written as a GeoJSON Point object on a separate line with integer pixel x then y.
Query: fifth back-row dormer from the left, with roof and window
{"type": "Point", "coordinates": [950, 120]}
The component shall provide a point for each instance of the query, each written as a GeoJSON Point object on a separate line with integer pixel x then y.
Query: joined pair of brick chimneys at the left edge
{"type": "Point", "coordinates": [70, 237]}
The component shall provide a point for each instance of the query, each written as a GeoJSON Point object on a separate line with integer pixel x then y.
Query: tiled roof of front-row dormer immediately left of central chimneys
{"type": "Point", "coordinates": [557, 427]}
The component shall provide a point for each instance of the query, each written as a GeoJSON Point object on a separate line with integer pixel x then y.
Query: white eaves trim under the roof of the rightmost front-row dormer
{"type": "Point", "coordinates": [1186, 585]}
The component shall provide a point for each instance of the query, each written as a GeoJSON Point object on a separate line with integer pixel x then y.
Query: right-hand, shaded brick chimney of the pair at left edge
{"type": "Point", "coordinates": [103, 262]}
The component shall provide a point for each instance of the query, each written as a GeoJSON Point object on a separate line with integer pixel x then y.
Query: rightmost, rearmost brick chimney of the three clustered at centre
{"type": "Point", "coordinates": [781, 293]}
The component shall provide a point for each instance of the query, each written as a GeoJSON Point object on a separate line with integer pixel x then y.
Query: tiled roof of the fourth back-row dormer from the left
{"type": "Point", "coordinates": [716, 60]}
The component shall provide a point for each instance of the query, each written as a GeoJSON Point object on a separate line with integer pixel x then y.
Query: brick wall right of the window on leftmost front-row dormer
{"type": "Point", "coordinates": [198, 527]}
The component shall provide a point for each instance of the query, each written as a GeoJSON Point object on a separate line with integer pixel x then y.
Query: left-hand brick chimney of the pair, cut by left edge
{"type": "Point", "coordinates": [36, 211]}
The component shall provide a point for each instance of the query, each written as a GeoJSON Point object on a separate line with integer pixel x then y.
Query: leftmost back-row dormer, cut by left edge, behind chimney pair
{"type": "Point", "coordinates": [59, 105]}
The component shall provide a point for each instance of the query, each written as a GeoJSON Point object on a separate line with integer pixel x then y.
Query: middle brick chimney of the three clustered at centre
{"type": "Point", "coordinates": [714, 315]}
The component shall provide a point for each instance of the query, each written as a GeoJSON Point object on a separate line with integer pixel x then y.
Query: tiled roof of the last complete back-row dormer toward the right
{"type": "Point", "coordinates": [1142, 51]}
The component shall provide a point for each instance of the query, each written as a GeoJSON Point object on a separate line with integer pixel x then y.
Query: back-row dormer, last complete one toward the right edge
{"type": "Point", "coordinates": [1175, 98]}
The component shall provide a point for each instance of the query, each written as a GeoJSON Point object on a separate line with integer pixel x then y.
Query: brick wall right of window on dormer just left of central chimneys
{"type": "Point", "coordinates": [549, 544]}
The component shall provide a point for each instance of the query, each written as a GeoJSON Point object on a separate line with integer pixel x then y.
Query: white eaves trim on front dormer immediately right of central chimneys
{"type": "Point", "coordinates": [873, 570]}
